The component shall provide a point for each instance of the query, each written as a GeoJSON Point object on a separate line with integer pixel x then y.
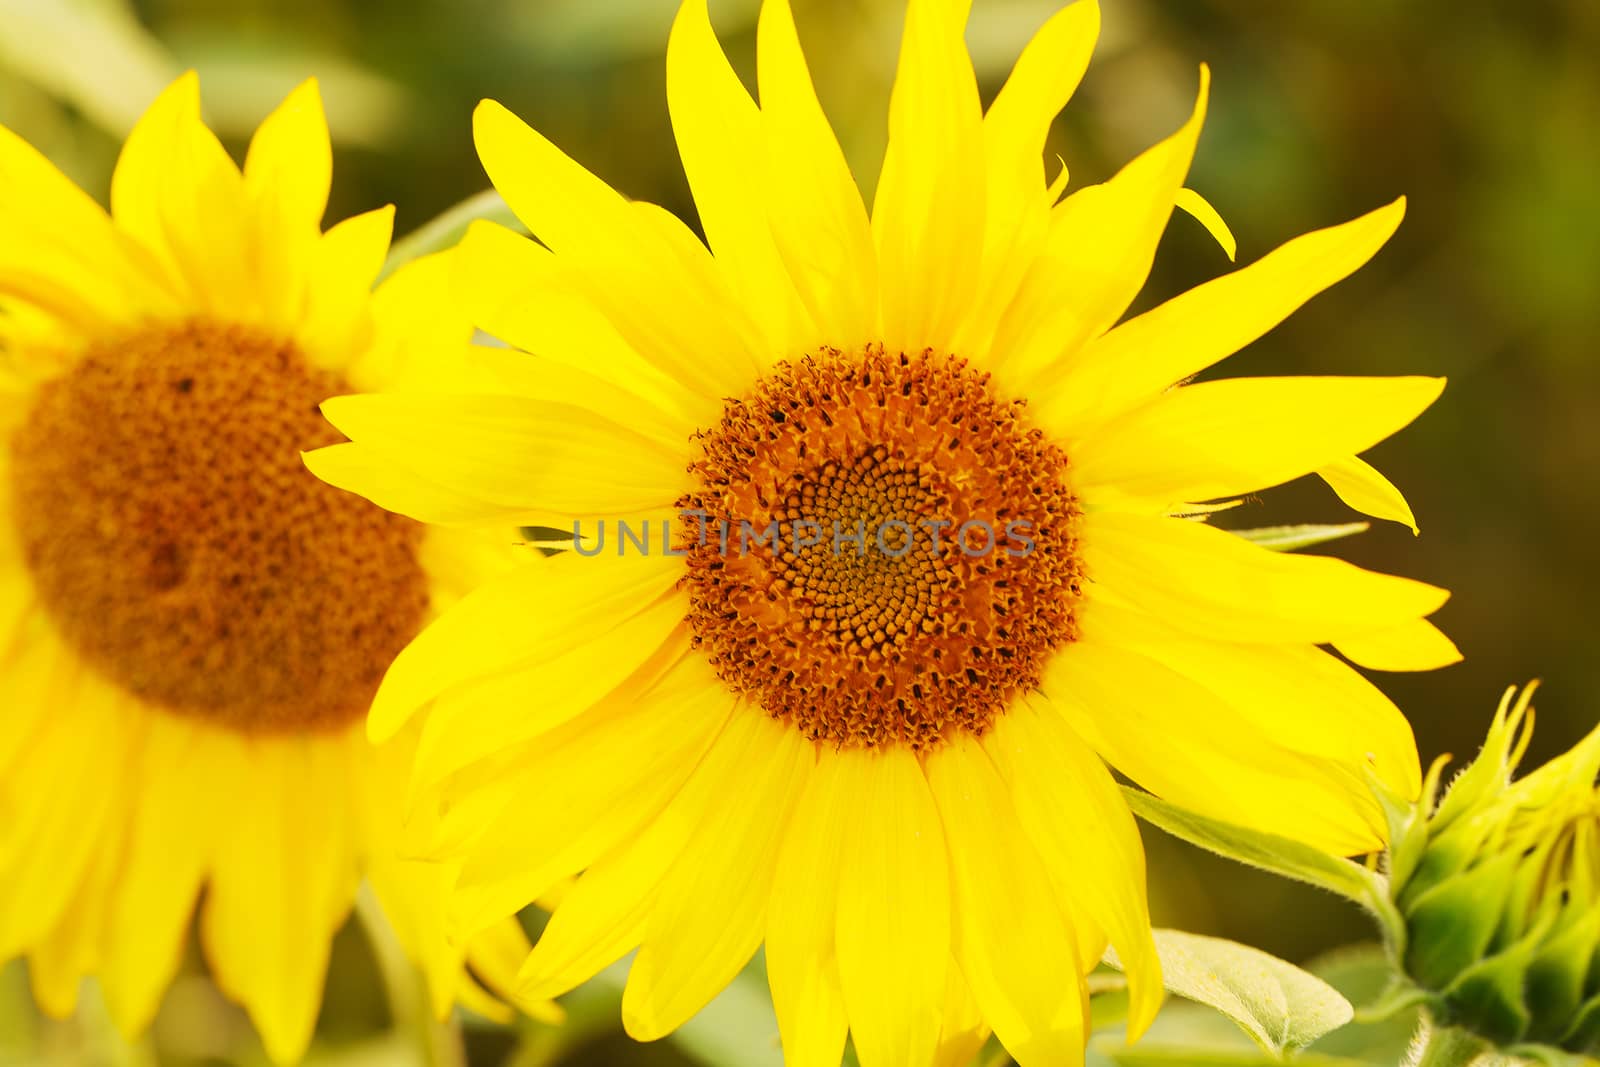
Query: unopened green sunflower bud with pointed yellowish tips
{"type": "Point", "coordinates": [1498, 885]}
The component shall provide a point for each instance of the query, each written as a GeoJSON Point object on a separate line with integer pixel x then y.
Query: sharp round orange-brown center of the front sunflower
{"type": "Point", "coordinates": [879, 549]}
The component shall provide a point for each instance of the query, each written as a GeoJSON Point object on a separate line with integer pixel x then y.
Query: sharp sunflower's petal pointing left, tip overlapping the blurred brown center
{"type": "Point", "coordinates": [516, 452]}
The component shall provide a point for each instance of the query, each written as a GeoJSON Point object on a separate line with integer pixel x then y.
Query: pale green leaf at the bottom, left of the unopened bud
{"type": "Point", "coordinates": [1279, 1005]}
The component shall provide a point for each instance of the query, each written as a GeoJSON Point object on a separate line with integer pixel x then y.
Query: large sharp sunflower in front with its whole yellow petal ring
{"type": "Point", "coordinates": [882, 546]}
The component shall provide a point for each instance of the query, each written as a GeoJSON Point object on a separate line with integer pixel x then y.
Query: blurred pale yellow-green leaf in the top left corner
{"type": "Point", "coordinates": [92, 54]}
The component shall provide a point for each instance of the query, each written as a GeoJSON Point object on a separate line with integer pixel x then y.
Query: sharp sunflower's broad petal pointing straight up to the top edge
{"type": "Point", "coordinates": [929, 214]}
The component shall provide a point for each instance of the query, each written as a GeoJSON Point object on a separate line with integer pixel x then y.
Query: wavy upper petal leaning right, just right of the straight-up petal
{"type": "Point", "coordinates": [1017, 218]}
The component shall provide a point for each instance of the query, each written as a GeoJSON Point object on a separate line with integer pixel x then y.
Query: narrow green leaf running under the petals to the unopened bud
{"type": "Point", "coordinates": [1270, 852]}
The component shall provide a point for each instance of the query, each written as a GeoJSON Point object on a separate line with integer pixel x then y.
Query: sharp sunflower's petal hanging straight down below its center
{"type": "Point", "coordinates": [894, 933]}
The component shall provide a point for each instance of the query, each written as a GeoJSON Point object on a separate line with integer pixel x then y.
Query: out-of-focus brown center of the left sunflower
{"type": "Point", "coordinates": [185, 551]}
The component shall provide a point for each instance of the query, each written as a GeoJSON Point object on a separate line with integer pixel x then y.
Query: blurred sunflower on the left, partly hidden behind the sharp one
{"type": "Point", "coordinates": [193, 626]}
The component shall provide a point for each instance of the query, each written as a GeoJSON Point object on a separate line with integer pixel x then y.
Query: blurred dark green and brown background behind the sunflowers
{"type": "Point", "coordinates": [1486, 114]}
